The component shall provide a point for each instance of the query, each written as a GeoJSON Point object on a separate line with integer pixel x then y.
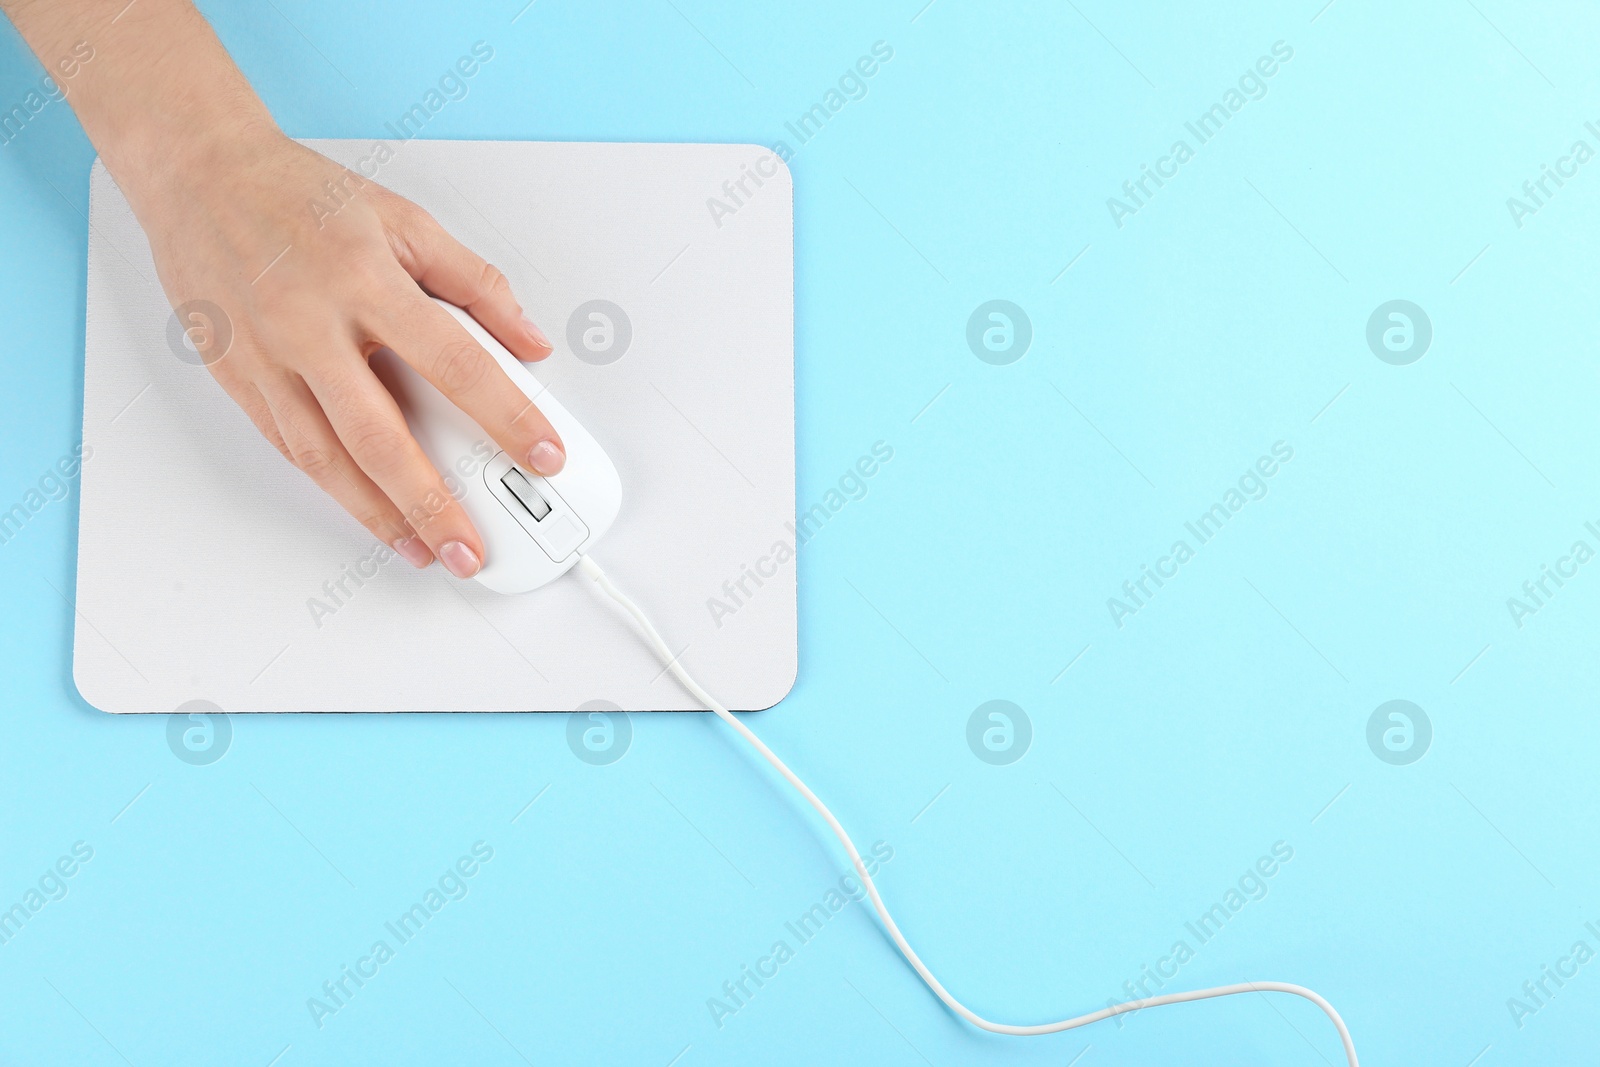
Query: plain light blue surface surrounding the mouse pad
{"type": "Point", "coordinates": [1230, 714]}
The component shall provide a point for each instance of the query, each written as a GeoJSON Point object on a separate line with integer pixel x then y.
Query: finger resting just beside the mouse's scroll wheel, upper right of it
{"type": "Point", "coordinates": [430, 340]}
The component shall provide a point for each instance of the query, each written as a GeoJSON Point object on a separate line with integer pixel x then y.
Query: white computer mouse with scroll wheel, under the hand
{"type": "Point", "coordinates": [534, 529]}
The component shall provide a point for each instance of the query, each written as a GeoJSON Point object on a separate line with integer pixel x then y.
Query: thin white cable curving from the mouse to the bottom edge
{"type": "Point", "coordinates": [593, 572]}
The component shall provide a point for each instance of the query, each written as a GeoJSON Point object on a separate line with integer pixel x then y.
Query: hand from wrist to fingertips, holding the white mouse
{"type": "Point", "coordinates": [310, 294]}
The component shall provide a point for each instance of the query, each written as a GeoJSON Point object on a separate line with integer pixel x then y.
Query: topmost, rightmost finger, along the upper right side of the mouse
{"type": "Point", "coordinates": [452, 271]}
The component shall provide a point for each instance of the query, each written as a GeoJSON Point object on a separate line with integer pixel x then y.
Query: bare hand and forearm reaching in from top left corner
{"type": "Point", "coordinates": [225, 199]}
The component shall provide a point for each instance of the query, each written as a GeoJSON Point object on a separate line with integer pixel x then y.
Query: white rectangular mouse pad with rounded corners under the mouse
{"type": "Point", "coordinates": [212, 570]}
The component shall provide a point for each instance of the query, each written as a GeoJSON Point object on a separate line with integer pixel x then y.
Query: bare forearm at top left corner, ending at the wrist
{"type": "Point", "coordinates": [151, 84]}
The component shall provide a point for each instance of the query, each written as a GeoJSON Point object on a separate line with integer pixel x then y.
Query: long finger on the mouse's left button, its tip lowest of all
{"type": "Point", "coordinates": [372, 430]}
